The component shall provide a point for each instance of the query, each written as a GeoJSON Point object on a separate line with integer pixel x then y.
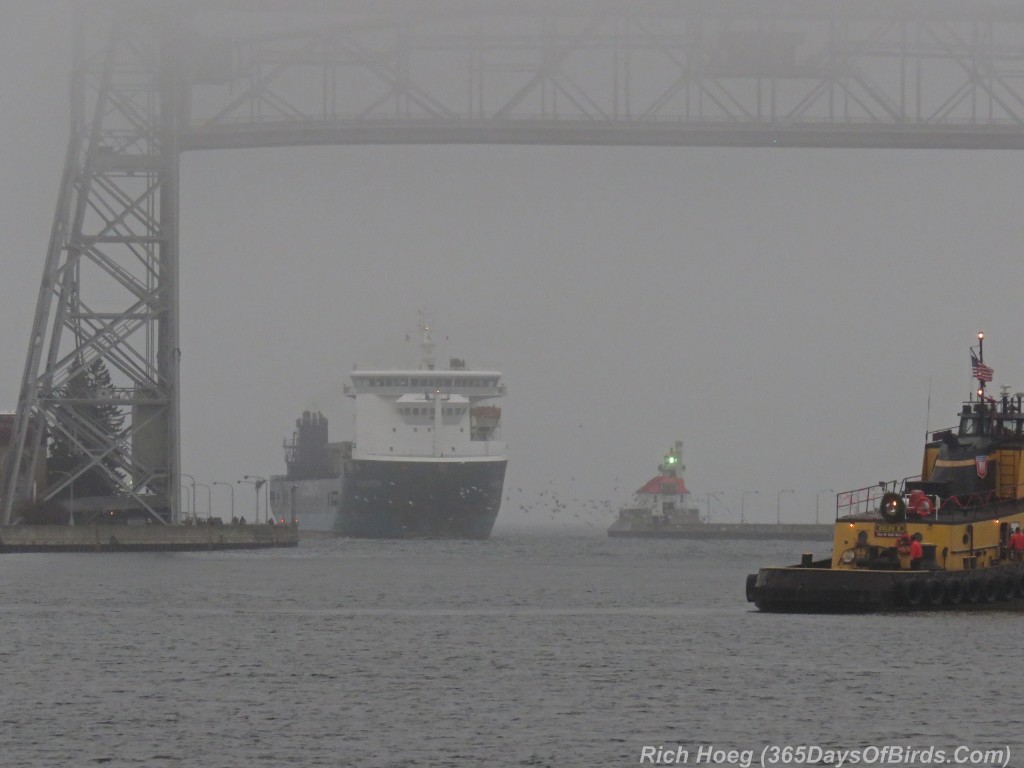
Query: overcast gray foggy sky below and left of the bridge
{"type": "Point", "coordinates": [784, 313]}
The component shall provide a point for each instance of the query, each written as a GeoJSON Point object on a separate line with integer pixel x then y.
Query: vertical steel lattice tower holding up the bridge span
{"type": "Point", "coordinates": [109, 291]}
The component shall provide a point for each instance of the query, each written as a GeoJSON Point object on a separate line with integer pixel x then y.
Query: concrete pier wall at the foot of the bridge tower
{"type": "Point", "coordinates": [145, 538]}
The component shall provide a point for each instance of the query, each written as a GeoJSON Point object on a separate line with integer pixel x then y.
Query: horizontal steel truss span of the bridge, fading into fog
{"type": "Point", "coordinates": [795, 73]}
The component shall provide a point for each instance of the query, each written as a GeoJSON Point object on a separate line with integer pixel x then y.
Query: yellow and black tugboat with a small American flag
{"type": "Point", "coordinates": [948, 539]}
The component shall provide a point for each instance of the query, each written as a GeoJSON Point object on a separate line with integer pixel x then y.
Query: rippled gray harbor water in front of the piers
{"type": "Point", "coordinates": [534, 649]}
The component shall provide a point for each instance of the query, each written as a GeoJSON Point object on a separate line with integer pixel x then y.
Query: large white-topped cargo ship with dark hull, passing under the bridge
{"type": "Point", "coordinates": [429, 459]}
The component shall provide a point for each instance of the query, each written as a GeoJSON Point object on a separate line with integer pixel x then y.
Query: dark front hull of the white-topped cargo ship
{"type": "Point", "coordinates": [396, 499]}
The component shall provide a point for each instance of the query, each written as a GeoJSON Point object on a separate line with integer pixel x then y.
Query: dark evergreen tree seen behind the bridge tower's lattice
{"type": "Point", "coordinates": [65, 456]}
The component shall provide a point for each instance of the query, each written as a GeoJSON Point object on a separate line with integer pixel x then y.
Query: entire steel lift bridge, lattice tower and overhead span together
{"type": "Point", "coordinates": [154, 79]}
